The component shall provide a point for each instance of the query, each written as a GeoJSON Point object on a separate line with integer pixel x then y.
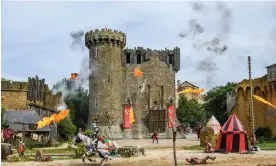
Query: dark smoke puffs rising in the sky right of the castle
{"type": "Point", "coordinates": [213, 46]}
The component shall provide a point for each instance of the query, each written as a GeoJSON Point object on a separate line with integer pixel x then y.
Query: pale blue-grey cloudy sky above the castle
{"type": "Point", "coordinates": [36, 36]}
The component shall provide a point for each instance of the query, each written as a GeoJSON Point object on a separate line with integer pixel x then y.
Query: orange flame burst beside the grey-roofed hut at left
{"type": "Point", "coordinates": [54, 117]}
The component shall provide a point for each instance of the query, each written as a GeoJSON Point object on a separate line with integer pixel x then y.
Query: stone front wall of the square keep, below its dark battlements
{"type": "Point", "coordinates": [157, 77]}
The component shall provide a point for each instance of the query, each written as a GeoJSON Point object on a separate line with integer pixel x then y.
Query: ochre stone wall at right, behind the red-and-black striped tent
{"type": "Point", "coordinates": [242, 109]}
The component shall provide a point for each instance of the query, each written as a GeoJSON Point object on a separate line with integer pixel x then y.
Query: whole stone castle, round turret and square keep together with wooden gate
{"type": "Point", "coordinates": [112, 83]}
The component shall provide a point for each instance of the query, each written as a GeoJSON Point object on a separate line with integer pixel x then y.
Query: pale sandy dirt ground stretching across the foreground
{"type": "Point", "coordinates": [161, 155]}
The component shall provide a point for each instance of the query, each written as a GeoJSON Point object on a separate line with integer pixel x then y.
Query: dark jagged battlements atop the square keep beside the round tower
{"type": "Point", "coordinates": [140, 55]}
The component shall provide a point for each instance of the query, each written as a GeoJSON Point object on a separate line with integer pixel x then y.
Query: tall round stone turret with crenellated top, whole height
{"type": "Point", "coordinates": [105, 83]}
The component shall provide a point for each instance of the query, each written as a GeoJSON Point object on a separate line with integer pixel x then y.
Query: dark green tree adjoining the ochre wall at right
{"type": "Point", "coordinates": [215, 101]}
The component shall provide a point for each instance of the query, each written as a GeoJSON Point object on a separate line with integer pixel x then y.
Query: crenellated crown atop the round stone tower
{"type": "Point", "coordinates": [116, 38]}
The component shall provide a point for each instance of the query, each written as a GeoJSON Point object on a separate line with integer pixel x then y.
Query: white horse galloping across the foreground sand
{"type": "Point", "coordinates": [92, 146]}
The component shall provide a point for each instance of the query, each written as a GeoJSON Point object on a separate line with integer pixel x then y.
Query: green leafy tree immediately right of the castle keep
{"type": "Point", "coordinates": [189, 111]}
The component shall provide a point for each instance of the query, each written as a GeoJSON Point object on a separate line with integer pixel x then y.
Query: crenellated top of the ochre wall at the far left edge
{"type": "Point", "coordinates": [14, 86]}
